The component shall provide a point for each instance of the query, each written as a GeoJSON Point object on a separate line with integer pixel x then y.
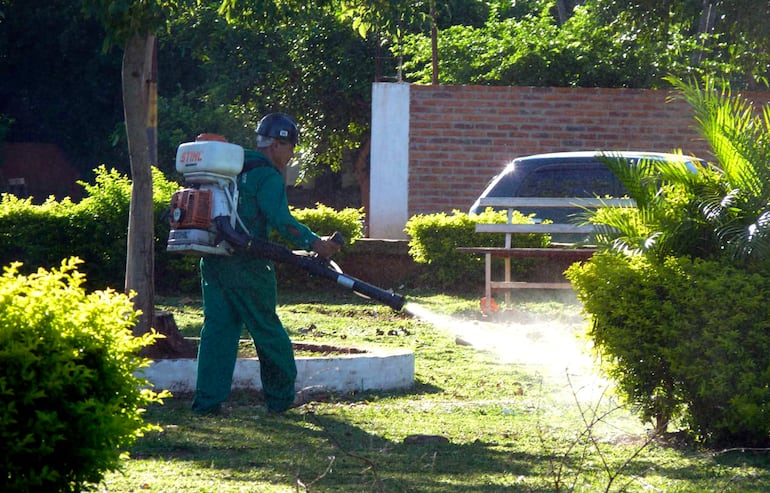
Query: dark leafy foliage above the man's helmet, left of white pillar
{"type": "Point", "coordinates": [305, 68]}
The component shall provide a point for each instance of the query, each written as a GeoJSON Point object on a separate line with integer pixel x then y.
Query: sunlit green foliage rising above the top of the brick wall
{"type": "Point", "coordinates": [603, 43]}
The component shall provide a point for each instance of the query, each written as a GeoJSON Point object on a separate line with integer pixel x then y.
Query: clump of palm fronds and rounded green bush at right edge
{"type": "Point", "coordinates": [679, 299]}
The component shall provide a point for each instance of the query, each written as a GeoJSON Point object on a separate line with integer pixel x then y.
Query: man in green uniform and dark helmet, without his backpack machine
{"type": "Point", "coordinates": [240, 290]}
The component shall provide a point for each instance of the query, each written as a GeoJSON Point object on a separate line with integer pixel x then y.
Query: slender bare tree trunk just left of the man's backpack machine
{"type": "Point", "coordinates": [138, 87]}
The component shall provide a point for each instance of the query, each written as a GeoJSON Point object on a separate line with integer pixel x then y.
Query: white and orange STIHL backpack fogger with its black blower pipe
{"type": "Point", "coordinates": [204, 218]}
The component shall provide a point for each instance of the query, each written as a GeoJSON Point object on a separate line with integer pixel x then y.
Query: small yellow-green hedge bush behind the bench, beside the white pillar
{"type": "Point", "coordinates": [434, 238]}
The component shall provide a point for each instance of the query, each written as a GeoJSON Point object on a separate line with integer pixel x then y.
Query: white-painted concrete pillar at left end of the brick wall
{"type": "Point", "coordinates": [389, 171]}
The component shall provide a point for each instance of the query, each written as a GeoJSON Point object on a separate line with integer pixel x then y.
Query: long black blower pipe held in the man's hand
{"type": "Point", "coordinates": [315, 265]}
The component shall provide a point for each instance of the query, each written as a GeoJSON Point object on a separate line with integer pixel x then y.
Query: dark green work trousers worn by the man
{"type": "Point", "coordinates": [232, 300]}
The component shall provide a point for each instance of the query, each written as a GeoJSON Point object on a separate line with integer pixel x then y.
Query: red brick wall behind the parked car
{"type": "Point", "coordinates": [461, 136]}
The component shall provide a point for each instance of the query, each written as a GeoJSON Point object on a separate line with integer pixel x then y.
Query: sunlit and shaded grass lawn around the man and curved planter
{"type": "Point", "coordinates": [504, 424]}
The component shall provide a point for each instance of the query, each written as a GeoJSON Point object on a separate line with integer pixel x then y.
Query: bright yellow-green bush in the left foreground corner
{"type": "Point", "coordinates": [70, 402]}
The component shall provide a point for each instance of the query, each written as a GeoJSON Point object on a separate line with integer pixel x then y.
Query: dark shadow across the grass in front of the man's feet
{"type": "Point", "coordinates": [320, 446]}
